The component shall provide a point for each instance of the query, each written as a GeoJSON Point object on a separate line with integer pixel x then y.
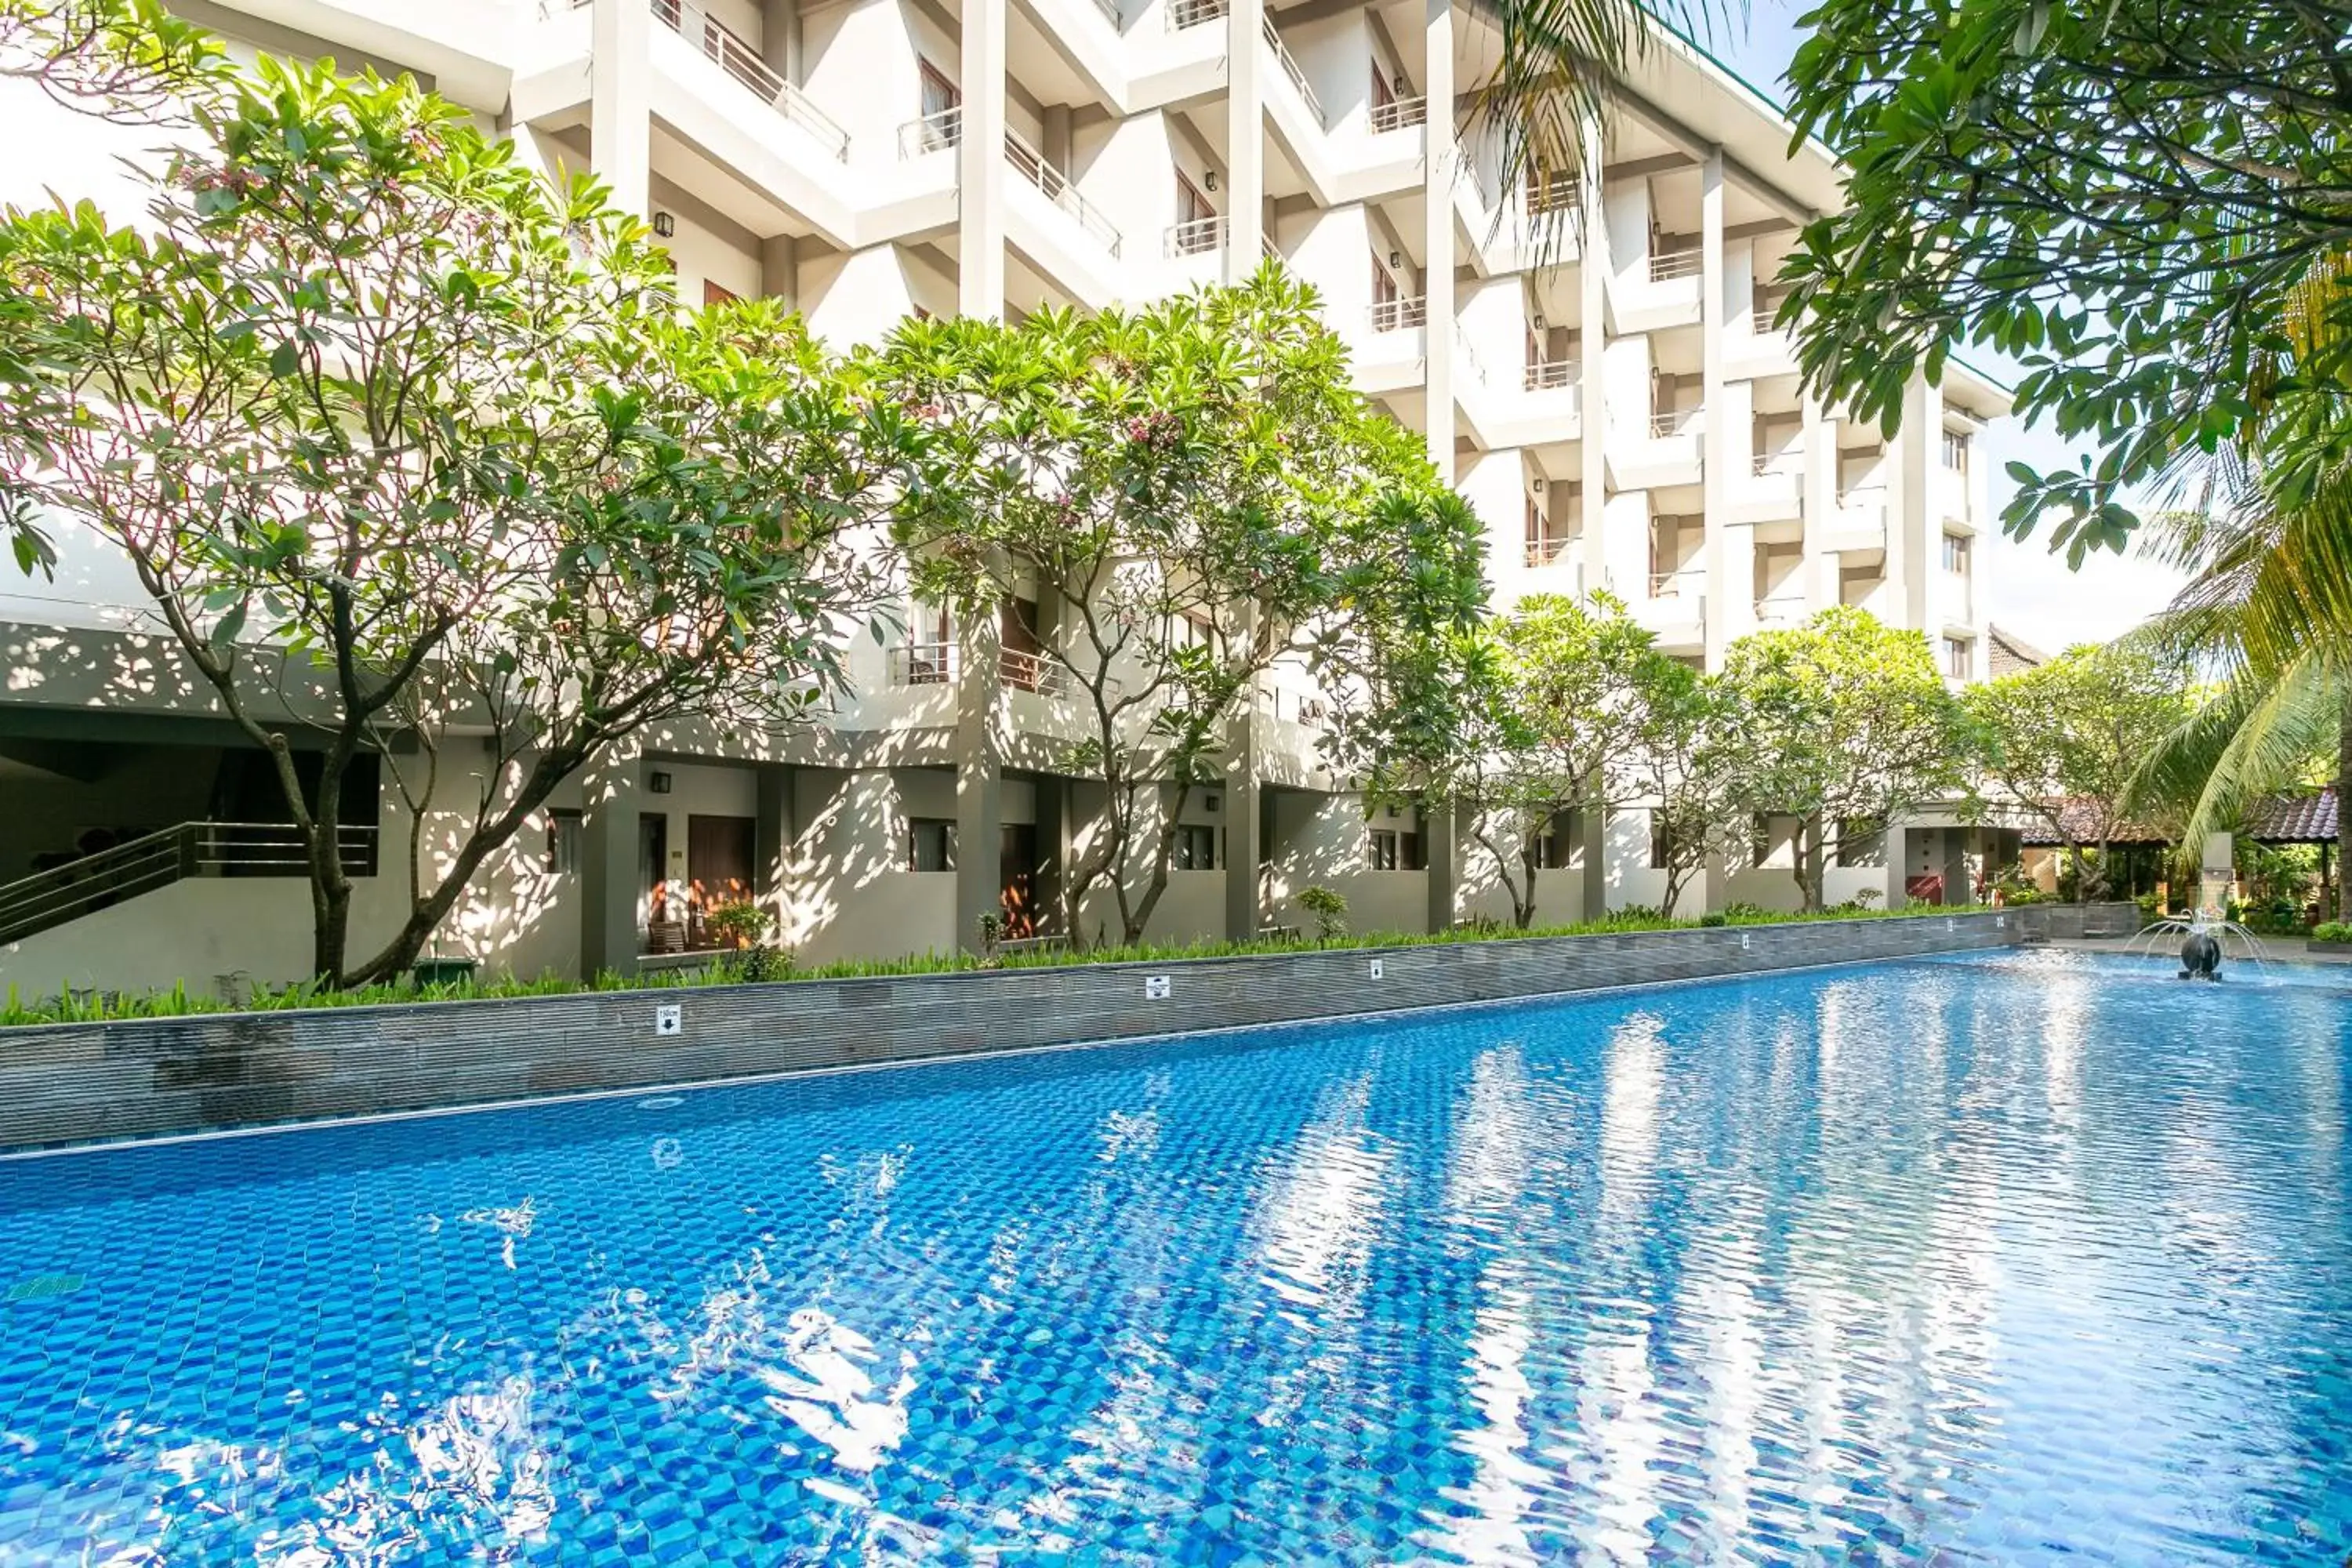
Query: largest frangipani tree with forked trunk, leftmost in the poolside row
{"type": "Point", "coordinates": [375, 410]}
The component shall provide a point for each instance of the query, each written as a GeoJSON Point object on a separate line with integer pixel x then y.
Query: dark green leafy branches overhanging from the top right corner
{"type": "Point", "coordinates": [2127, 201]}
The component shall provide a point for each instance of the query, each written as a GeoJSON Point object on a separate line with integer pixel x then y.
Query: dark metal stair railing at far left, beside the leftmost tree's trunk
{"type": "Point", "coordinates": [154, 862]}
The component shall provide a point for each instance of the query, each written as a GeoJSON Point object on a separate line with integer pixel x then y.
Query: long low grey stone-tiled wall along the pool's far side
{"type": "Point", "coordinates": [72, 1085]}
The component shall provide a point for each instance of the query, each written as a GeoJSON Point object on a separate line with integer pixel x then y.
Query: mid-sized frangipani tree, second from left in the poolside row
{"type": "Point", "coordinates": [1194, 492]}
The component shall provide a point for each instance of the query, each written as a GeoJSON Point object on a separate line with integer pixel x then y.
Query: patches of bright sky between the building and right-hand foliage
{"type": "Point", "coordinates": [2029, 591]}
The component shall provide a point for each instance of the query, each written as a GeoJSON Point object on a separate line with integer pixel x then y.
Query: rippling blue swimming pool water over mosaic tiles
{"type": "Point", "coordinates": [1993, 1261]}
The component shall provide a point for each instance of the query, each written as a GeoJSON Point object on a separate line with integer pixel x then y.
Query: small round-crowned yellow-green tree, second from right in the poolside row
{"type": "Point", "coordinates": [1840, 723]}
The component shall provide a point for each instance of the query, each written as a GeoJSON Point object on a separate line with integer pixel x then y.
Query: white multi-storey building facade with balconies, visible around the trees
{"type": "Point", "coordinates": [1610, 398]}
